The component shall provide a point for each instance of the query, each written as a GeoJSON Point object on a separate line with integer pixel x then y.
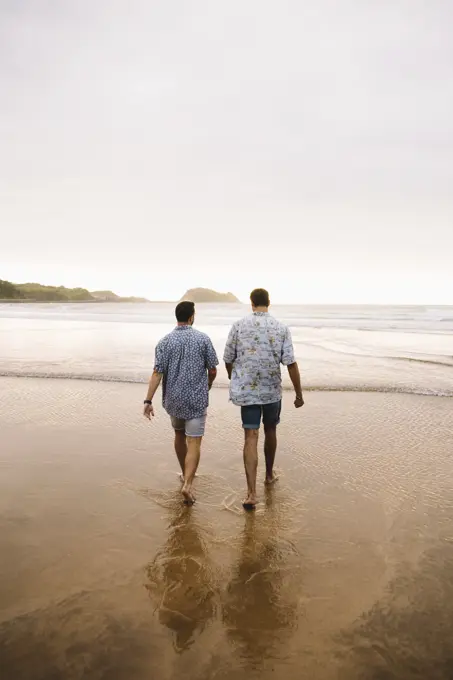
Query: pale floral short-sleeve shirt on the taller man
{"type": "Point", "coordinates": [256, 347]}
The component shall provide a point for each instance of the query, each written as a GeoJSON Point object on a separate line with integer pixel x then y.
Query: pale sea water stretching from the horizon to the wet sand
{"type": "Point", "coordinates": [393, 349]}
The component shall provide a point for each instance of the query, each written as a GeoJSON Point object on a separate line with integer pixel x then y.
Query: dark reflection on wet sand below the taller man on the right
{"type": "Point", "coordinates": [260, 602]}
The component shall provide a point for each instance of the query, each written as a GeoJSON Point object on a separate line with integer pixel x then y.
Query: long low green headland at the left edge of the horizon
{"type": "Point", "coordinates": [35, 292]}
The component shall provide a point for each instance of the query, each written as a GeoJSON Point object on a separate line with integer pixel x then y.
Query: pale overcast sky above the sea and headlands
{"type": "Point", "coordinates": [305, 146]}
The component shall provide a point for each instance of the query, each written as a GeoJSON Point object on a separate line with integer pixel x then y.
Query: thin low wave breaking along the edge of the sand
{"type": "Point", "coordinates": [131, 380]}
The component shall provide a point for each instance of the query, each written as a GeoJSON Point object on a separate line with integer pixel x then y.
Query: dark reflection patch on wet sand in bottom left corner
{"type": "Point", "coordinates": [87, 635]}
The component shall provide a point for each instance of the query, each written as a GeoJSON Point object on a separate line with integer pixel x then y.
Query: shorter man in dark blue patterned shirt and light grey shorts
{"type": "Point", "coordinates": [186, 365]}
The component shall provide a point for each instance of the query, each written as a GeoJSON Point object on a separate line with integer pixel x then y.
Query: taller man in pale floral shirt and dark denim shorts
{"type": "Point", "coordinates": [256, 347]}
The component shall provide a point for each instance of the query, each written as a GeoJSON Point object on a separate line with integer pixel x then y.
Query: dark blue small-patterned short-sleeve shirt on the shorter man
{"type": "Point", "coordinates": [184, 357]}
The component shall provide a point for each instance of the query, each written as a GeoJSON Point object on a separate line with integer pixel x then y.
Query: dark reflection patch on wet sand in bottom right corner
{"type": "Point", "coordinates": [408, 634]}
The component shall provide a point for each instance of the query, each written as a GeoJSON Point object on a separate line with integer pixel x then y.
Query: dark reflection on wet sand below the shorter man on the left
{"type": "Point", "coordinates": [181, 579]}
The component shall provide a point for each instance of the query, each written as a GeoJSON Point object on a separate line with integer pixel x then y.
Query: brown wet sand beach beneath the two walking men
{"type": "Point", "coordinates": [344, 571]}
